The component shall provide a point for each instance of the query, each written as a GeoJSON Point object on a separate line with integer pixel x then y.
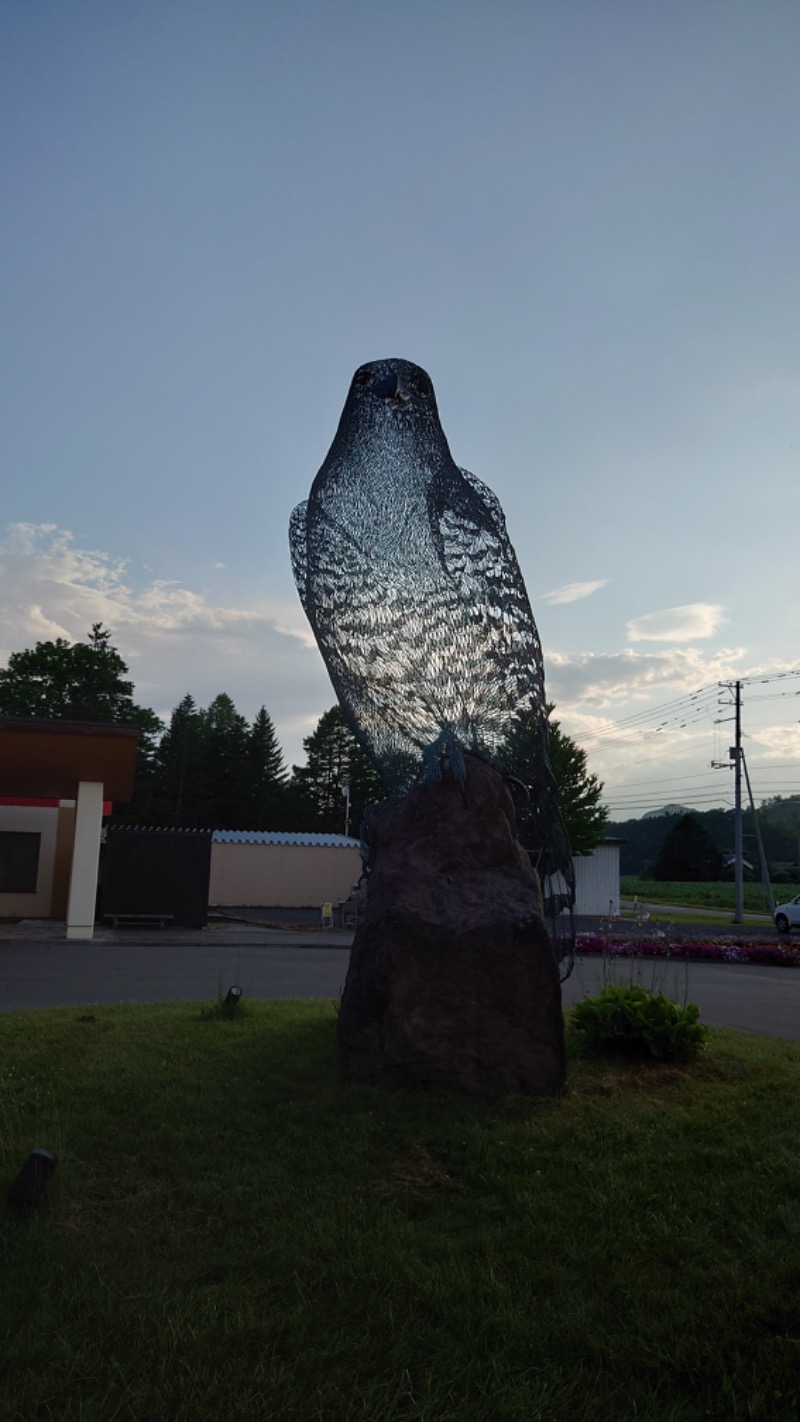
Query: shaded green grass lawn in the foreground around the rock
{"type": "Point", "coordinates": [232, 1234]}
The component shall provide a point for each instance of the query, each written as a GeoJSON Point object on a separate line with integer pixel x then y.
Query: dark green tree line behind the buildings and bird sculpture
{"type": "Point", "coordinates": [212, 769]}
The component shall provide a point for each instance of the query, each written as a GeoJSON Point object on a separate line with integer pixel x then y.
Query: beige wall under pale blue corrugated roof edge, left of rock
{"type": "Point", "coordinates": [282, 877]}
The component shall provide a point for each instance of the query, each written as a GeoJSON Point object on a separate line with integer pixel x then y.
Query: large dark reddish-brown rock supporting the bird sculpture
{"type": "Point", "coordinates": [453, 979]}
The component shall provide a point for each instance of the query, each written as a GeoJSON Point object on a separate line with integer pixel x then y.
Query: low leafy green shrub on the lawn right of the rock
{"type": "Point", "coordinates": [630, 1022]}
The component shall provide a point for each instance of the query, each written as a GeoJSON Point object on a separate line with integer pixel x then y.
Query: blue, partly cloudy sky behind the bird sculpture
{"type": "Point", "coordinates": [583, 220]}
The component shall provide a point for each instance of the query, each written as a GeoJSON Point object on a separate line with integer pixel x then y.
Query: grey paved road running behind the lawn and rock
{"type": "Point", "coordinates": [36, 973]}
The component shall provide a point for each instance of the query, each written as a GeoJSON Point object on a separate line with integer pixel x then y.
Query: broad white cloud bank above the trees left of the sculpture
{"type": "Point", "coordinates": [175, 641]}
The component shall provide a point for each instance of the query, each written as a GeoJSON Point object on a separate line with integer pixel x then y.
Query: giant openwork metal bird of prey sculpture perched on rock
{"type": "Point", "coordinates": [416, 598]}
